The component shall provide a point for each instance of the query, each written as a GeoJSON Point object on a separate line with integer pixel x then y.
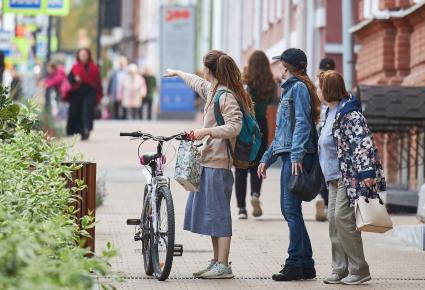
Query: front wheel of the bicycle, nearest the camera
{"type": "Point", "coordinates": [163, 245]}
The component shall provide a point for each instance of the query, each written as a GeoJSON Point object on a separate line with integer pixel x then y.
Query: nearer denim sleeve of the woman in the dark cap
{"type": "Point", "coordinates": [302, 127]}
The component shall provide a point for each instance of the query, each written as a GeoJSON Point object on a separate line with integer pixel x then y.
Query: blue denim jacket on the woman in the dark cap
{"type": "Point", "coordinates": [293, 134]}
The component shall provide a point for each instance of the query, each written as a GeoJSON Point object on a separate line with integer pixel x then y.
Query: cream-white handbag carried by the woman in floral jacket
{"type": "Point", "coordinates": [371, 215]}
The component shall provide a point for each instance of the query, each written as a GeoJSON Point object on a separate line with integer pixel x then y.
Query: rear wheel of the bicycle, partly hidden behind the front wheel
{"type": "Point", "coordinates": [147, 240]}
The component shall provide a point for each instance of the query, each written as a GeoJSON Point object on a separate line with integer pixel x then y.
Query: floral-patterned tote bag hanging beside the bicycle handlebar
{"type": "Point", "coordinates": [188, 166]}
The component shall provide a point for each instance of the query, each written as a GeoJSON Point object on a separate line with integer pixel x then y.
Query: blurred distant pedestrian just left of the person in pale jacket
{"type": "Point", "coordinates": [114, 85]}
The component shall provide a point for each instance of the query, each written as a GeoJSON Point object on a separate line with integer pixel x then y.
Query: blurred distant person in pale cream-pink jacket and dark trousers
{"type": "Point", "coordinates": [132, 92]}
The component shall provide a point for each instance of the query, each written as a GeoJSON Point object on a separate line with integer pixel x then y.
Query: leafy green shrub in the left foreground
{"type": "Point", "coordinates": [40, 241]}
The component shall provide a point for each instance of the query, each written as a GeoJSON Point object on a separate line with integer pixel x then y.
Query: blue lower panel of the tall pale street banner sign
{"type": "Point", "coordinates": [176, 96]}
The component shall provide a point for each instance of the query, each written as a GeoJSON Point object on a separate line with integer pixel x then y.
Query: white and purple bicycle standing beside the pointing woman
{"type": "Point", "coordinates": [156, 226]}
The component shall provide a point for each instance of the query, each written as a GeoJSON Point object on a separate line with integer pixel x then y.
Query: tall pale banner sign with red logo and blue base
{"type": "Point", "coordinates": [177, 51]}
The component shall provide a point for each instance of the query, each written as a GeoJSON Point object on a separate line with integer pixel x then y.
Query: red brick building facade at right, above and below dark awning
{"type": "Point", "coordinates": [392, 52]}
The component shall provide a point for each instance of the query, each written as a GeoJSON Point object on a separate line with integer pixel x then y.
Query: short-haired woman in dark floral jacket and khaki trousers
{"type": "Point", "coordinates": [351, 167]}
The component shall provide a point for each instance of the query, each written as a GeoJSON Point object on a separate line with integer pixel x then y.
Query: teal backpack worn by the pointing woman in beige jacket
{"type": "Point", "coordinates": [248, 142]}
